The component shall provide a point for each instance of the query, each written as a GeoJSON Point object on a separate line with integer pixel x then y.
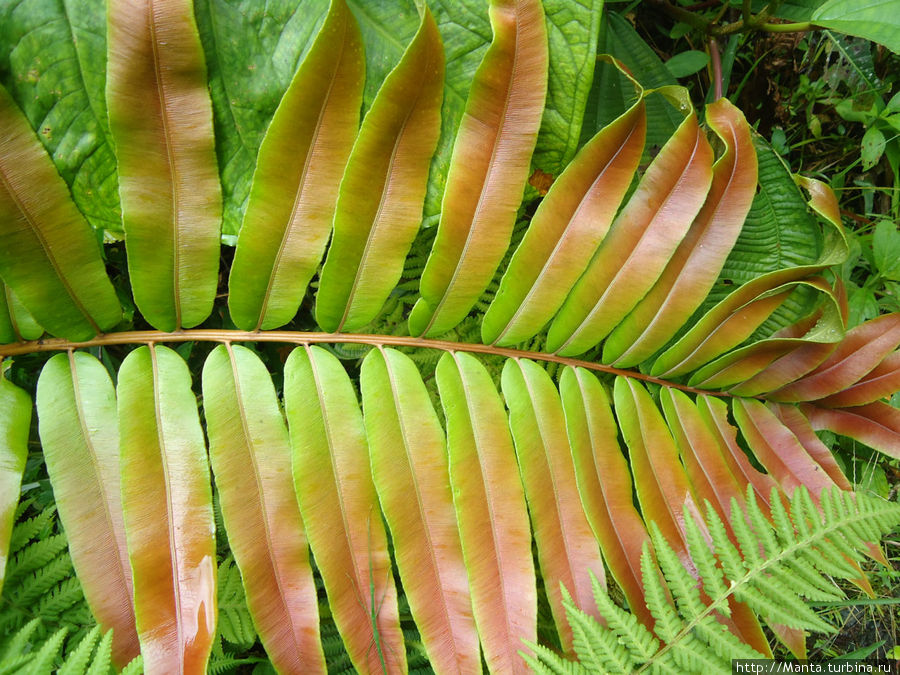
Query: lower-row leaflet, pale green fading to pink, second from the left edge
{"type": "Point", "coordinates": [76, 405]}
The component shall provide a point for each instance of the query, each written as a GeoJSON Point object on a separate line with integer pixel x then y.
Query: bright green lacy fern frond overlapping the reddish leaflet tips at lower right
{"type": "Point", "coordinates": [775, 568]}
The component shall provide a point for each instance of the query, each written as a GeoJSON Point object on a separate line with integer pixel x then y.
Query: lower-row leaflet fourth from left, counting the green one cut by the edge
{"type": "Point", "coordinates": [250, 453]}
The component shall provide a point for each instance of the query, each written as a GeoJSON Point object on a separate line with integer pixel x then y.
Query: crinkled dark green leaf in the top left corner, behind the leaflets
{"type": "Point", "coordinates": [62, 48]}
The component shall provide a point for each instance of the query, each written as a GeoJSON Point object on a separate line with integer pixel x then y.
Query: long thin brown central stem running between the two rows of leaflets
{"type": "Point", "coordinates": [150, 337]}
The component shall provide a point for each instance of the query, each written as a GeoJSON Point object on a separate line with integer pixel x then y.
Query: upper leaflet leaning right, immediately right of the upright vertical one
{"type": "Point", "coordinates": [298, 173]}
